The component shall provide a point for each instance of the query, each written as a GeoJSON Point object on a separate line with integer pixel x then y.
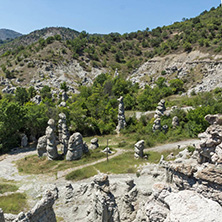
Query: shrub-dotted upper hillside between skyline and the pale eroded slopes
{"type": "Point", "coordinates": [126, 52]}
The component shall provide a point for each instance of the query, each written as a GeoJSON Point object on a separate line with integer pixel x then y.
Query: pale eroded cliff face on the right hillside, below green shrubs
{"type": "Point", "coordinates": [200, 71]}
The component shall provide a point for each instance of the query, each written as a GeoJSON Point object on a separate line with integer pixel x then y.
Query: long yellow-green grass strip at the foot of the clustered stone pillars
{"type": "Point", "coordinates": [35, 165]}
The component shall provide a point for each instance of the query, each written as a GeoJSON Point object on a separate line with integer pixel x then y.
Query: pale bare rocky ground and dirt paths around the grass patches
{"type": "Point", "coordinates": [74, 198]}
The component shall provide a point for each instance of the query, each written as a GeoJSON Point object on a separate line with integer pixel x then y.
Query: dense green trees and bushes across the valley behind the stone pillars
{"type": "Point", "coordinates": [94, 111]}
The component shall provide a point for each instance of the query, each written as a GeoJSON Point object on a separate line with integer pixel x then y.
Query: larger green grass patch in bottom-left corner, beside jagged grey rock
{"type": "Point", "coordinates": [13, 203]}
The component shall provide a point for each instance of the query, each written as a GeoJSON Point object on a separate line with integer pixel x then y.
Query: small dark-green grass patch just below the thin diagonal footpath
{"type": "Point", "coordinates": [81, 174]}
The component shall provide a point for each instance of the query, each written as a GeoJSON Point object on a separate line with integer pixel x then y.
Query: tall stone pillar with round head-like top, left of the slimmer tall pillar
{"type": "Point", "coordinates": [51, 148]}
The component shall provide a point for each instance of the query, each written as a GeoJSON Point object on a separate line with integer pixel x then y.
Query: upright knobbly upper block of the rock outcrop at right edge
{"type": "Point", "coordinates": [210, 148]}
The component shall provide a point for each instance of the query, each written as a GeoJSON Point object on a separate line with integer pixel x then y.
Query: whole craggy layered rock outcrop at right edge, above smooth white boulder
{"type": "Point", "coordinates": [202, 173]}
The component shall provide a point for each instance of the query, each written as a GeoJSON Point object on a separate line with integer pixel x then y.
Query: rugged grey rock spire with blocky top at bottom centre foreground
{"type": "Point", "coordinates": [103, 205]}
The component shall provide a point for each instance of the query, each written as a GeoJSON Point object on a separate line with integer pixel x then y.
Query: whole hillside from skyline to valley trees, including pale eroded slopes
{"type": "Point", "coordinates": [79, 57]}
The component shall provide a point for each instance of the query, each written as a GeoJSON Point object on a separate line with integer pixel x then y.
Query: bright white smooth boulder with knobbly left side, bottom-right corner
{"type": "Point", "coordinates": [164, 206]}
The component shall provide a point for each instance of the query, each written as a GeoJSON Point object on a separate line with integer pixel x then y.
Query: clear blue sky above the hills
{"type": "Point", "coordinates": [98, 16]}
